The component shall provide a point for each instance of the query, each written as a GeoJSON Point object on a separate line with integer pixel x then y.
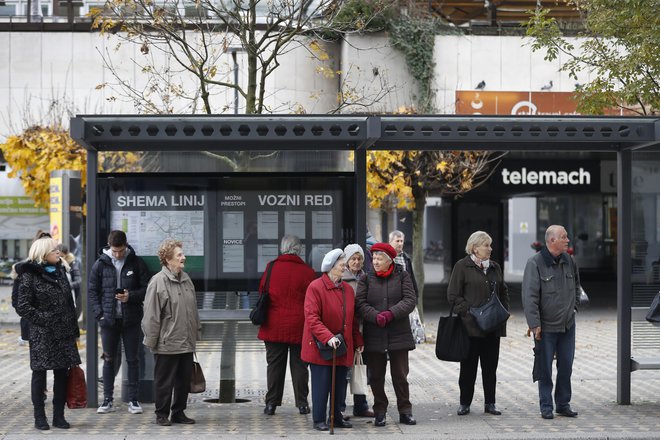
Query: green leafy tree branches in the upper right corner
{"type": "Point", "coordinates": [619, 51]}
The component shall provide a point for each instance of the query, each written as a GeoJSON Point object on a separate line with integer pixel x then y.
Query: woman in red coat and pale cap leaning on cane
{"type": "Point", "coordinates": [330, 311]}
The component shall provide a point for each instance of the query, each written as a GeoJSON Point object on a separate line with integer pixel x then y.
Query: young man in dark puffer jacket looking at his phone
{"type": "Point", "coordinates": [117, 286]}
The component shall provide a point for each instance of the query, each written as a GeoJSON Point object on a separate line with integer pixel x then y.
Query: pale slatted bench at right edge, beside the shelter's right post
{"type": "Point", "coordinates": [645, 341]}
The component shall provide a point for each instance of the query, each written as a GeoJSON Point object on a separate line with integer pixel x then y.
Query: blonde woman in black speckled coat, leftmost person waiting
{"type": "Point", "coordinates": [45, 301]}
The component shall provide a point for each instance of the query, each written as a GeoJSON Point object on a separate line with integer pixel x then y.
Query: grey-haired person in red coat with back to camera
{"type": "Point", "coordinates": [282, 331]}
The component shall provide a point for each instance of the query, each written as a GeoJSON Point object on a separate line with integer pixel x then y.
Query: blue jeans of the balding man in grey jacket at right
{"type": "Point", "coordinates": [563, 344]}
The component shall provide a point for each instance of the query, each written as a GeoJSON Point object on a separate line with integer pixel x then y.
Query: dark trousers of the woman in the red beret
{"type": "Point", "coordinates": [377, 365]}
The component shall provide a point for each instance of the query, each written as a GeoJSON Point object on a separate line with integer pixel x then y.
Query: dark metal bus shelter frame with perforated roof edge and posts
{"type": "Point", "coordinates": [625, 136]}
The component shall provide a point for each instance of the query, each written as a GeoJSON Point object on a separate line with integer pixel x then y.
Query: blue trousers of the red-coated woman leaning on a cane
{"type": "Point", "coordinates": [321, 385]}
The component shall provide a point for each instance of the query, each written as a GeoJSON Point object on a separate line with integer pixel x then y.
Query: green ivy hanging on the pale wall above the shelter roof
{"type": "Point", "coordinates": [415, 37]}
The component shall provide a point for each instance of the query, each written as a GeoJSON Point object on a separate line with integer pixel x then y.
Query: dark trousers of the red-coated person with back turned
{"type": "Point", "coordinates": [276, 356]}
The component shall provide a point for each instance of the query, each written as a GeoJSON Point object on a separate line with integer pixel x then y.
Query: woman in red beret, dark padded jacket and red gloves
{"type": "Point", "coordinates": [385, 298]}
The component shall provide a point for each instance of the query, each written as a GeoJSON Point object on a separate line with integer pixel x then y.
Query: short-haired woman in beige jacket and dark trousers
{"type": "Point", "coordinates": [171, 327]}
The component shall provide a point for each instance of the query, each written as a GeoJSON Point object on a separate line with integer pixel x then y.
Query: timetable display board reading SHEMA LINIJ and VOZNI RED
{"type": "Point", "coordinates": [231, 225]}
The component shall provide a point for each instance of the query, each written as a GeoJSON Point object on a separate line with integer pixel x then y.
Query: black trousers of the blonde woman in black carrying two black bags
{"type": "Point", "coordinates": [488, 351]}
